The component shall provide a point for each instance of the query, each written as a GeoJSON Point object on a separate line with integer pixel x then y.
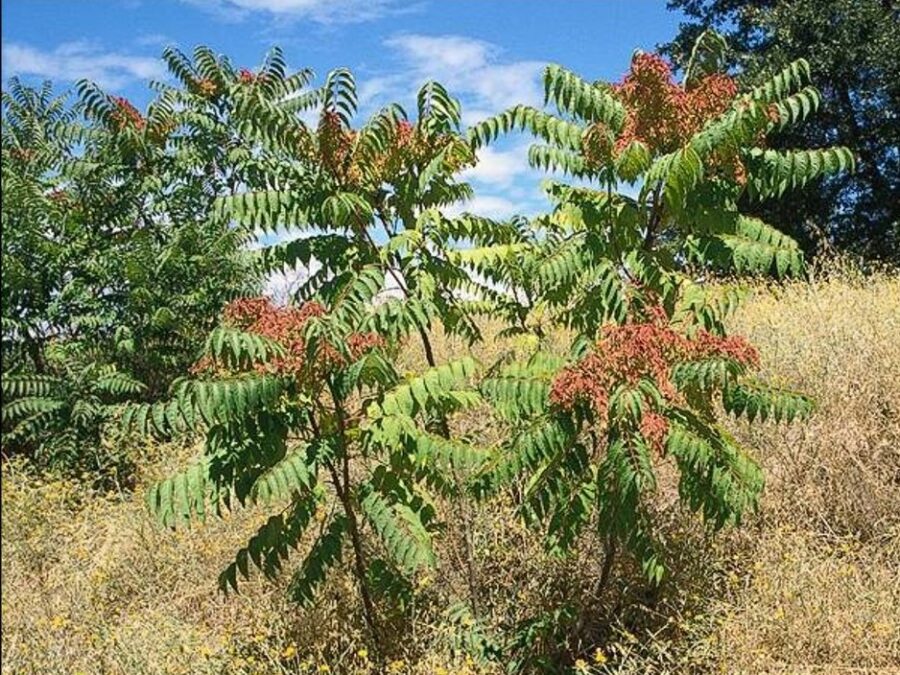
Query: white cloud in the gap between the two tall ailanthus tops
{"type": "Point", "coordinates": [472, 70]}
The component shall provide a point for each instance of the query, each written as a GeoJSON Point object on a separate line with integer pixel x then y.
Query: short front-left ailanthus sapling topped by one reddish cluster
{"type": "Point", "coordinates": [303, 407]}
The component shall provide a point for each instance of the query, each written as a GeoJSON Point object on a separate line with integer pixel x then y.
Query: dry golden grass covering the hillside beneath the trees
{"type": "Point", "coordinates": [811, 585]}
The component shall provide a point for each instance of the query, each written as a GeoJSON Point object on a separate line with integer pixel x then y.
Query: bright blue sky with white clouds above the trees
{"type": "Point", "coordinates": [488, 53]}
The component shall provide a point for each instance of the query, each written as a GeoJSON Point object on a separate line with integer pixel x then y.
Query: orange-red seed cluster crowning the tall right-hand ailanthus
{"type": "Point", "coordinates": [662, 113]}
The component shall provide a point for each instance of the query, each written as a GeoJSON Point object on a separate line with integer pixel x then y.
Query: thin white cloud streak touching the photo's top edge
{"type": "Point", "coordinates": [321, 11]}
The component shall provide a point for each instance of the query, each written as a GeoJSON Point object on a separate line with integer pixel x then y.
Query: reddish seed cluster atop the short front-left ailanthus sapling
{"type": "Point", "coordinates": [285, 325]}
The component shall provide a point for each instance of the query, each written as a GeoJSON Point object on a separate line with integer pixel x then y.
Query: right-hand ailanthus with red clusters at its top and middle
{"type": "Point", "coordinates": [650, 368]}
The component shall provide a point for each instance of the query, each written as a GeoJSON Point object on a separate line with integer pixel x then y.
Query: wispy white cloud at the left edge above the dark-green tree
{"type": "Point", "coordinates": [75, 60]}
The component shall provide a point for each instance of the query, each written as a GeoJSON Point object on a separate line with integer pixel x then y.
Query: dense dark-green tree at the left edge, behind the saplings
{"type": "Point", "coordinates": [110, 258]}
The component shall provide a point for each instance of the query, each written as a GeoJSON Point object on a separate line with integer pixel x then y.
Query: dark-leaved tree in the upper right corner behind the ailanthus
{"type": "Point", "coordinates": [854, 46]}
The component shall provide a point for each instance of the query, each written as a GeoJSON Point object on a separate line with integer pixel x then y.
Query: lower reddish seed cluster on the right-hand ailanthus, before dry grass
{"type": "Point", "coordinates": [628, 353]}
